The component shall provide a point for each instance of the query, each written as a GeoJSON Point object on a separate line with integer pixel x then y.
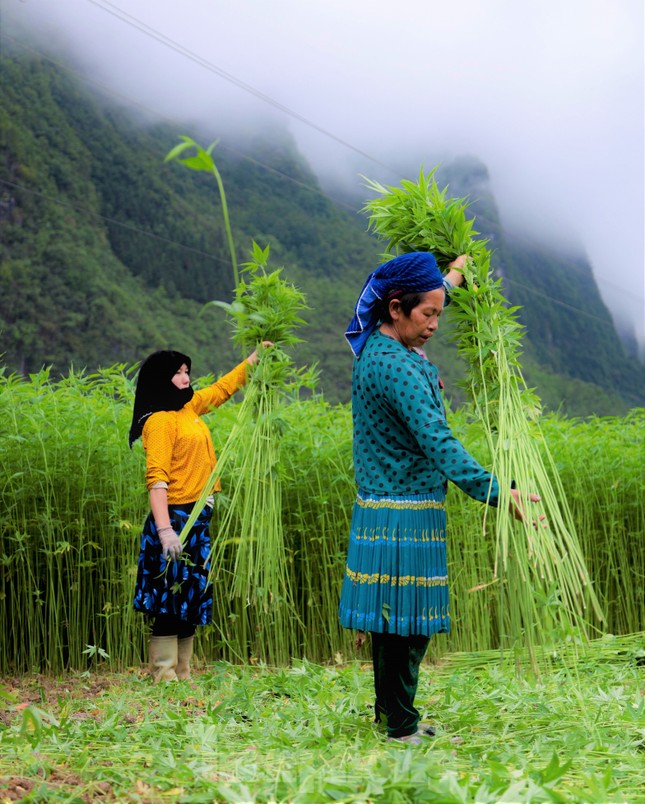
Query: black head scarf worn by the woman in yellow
{"type": "Point", "coordinates": [155, 389]}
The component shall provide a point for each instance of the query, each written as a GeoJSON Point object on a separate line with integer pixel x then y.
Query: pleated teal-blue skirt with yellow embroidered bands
{"type": "Point", "coordinates": [396, 576]}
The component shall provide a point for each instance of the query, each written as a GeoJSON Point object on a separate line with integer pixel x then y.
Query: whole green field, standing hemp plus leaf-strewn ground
{"type": "Point", "coordinates": [81, 720]}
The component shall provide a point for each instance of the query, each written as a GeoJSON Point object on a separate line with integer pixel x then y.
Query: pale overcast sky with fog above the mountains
{"type": "Point", "coordinates": [548, 93]}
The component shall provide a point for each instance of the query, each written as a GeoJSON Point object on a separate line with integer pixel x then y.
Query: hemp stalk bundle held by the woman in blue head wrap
{"type": "Point", "coordinates": [544, 593]}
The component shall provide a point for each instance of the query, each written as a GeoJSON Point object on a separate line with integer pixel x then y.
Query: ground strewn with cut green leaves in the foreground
{"type": "Point", "coordinates": [304, 734]}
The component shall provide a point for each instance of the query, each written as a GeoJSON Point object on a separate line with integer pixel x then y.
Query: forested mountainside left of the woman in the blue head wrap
{"type": "Point", "coordinates": [90, 204]}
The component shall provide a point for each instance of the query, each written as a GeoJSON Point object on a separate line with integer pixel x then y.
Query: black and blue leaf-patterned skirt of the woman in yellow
{"type": "Point", "coordinates": [176, 588]}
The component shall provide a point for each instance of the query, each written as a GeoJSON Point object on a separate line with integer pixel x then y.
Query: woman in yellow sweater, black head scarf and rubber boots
{"type": "Point", "coordinates": [172, 581]}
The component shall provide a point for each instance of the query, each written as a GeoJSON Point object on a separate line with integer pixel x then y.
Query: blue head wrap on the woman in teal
{"type": "Point", "coordinates": [416, 272]}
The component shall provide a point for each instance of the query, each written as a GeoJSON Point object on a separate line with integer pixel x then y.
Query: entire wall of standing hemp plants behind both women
{"type": "Point", "coordinates": [74, 501]}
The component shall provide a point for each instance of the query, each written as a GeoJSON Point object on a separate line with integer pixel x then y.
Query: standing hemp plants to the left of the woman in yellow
{"type": "Point", "coordinates": [72, 511]}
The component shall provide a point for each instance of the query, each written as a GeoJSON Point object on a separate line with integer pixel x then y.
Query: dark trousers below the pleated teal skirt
{"type": "Point", "coordinates": [396, 661]}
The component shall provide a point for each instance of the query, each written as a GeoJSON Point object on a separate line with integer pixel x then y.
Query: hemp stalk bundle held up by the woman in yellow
{"type": "Point", "coordinates": [249, 558]}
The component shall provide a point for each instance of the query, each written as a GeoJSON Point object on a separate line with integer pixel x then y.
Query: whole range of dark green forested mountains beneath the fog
{"type": "Point", "coordinates": [107, 252]}
